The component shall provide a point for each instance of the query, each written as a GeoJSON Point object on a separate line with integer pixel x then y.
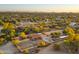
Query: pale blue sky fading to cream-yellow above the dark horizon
{"type": "Point", "coordinates": [40, 7]}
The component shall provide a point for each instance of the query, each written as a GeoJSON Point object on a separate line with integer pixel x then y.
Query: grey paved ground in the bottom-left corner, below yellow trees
{"type": "Point", "coordinates": [9, 48]}
